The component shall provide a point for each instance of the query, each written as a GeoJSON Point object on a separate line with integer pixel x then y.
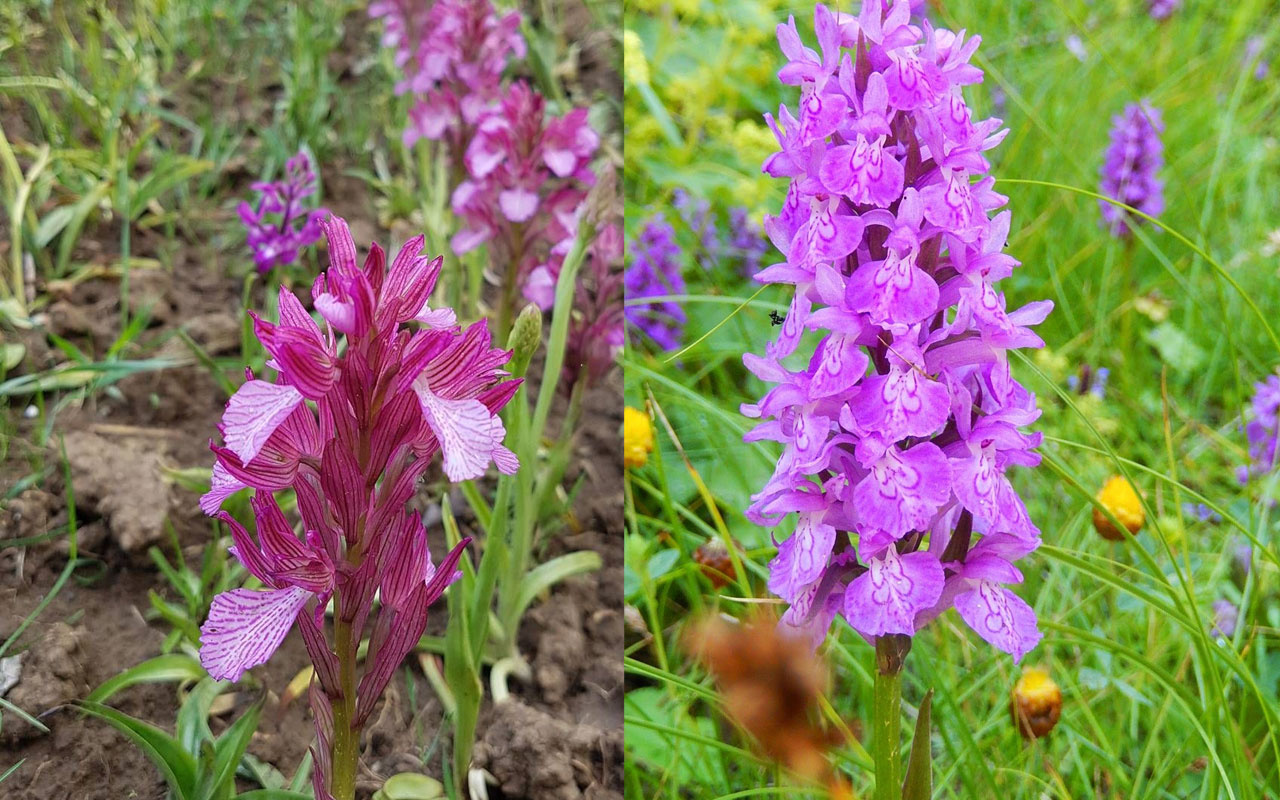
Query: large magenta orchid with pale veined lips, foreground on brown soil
{"type": "Point", "coordinates": [350, 429]}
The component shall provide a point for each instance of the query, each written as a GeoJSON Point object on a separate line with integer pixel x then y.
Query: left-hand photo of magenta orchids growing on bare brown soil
{"type": "Point", "coordinates": [310, 444]}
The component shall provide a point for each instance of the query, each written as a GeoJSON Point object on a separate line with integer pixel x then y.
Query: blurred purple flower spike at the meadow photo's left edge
{"type": "Point", "coordinates": [656, 271]}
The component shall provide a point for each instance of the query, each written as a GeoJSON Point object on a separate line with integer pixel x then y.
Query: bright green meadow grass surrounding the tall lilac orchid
{"type": "Point", "coordinates": [1186, 319]}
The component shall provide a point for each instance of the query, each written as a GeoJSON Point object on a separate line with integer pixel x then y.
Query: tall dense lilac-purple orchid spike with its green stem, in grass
{"type": "Point", "coordinates": [893, 395]}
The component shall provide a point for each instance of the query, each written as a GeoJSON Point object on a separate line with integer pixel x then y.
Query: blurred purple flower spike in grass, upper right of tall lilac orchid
{"type": "Point", "coordinates": [1130, 173]}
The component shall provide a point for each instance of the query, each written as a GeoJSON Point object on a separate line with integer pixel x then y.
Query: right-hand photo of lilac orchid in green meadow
{"type": "Point", "coordinates": [952, 399]}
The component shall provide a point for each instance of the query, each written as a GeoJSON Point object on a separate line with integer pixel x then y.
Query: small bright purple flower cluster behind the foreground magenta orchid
{"type": "Point", "coordinates": [277, 243]}
